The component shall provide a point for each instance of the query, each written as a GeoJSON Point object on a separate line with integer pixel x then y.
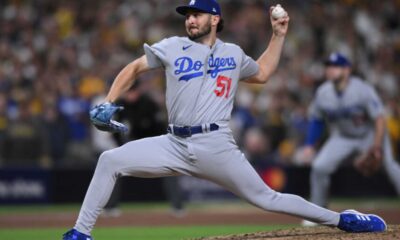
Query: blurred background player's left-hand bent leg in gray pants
{"type": "Point", "coordinates": [326, 162]}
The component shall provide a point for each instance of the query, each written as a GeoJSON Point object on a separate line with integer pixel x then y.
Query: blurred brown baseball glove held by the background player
{"type": "Point", "coordinates": [369, 162]}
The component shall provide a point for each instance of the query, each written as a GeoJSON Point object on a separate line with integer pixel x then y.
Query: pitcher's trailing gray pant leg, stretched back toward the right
{"type": "Point", "coordinates": [232, 171]}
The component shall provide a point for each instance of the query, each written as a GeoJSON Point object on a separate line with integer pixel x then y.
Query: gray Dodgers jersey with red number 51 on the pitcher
{"type": "Point", "coordinates": [201, 81]}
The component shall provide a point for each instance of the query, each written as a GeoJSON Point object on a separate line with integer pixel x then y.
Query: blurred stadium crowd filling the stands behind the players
{"type": "Point", "coordinates": [57, 58]}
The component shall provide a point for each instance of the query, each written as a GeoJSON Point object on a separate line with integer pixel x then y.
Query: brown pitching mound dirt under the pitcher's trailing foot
{"type": "Point", "coordinates": [393, 232]}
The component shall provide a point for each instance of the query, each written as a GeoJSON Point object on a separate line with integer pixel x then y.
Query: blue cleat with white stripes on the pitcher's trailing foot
{"type": "Point", "coordinates": [353, 221]}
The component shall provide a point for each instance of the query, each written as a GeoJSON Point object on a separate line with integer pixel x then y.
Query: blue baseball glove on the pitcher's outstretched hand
{"type": "Point", "coordinates": [101, 115]}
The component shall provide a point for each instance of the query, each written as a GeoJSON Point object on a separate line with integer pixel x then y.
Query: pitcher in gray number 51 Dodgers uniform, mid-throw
{"type": "Point", "coordinates": [202, 75]}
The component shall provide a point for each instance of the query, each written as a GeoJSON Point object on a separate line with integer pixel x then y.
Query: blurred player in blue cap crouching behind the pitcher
{"type": "Point", "coordinates": [355, 115]}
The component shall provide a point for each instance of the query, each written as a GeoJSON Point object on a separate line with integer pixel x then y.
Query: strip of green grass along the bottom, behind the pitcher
{"type": "Point", "coordinates": [140, 233]}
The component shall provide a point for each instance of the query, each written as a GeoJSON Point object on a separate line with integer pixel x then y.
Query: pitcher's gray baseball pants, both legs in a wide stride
{"type": "Point", "coordinates": [213, 156]}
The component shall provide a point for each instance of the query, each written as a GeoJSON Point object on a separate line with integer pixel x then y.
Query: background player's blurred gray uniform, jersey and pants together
{"type": "Point", "coordinates": [350, 115]}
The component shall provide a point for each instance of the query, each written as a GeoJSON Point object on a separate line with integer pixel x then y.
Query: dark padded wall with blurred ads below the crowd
{"type": "Point", "coordinates": [20, 186]}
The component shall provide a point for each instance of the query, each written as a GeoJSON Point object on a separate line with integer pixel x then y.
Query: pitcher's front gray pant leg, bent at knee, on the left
{"type": "Point", "coordinates": [149, 157]}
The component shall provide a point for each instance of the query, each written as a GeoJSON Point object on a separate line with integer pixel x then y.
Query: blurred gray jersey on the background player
{"type": "Point", "coordinates": [351, 113]}
